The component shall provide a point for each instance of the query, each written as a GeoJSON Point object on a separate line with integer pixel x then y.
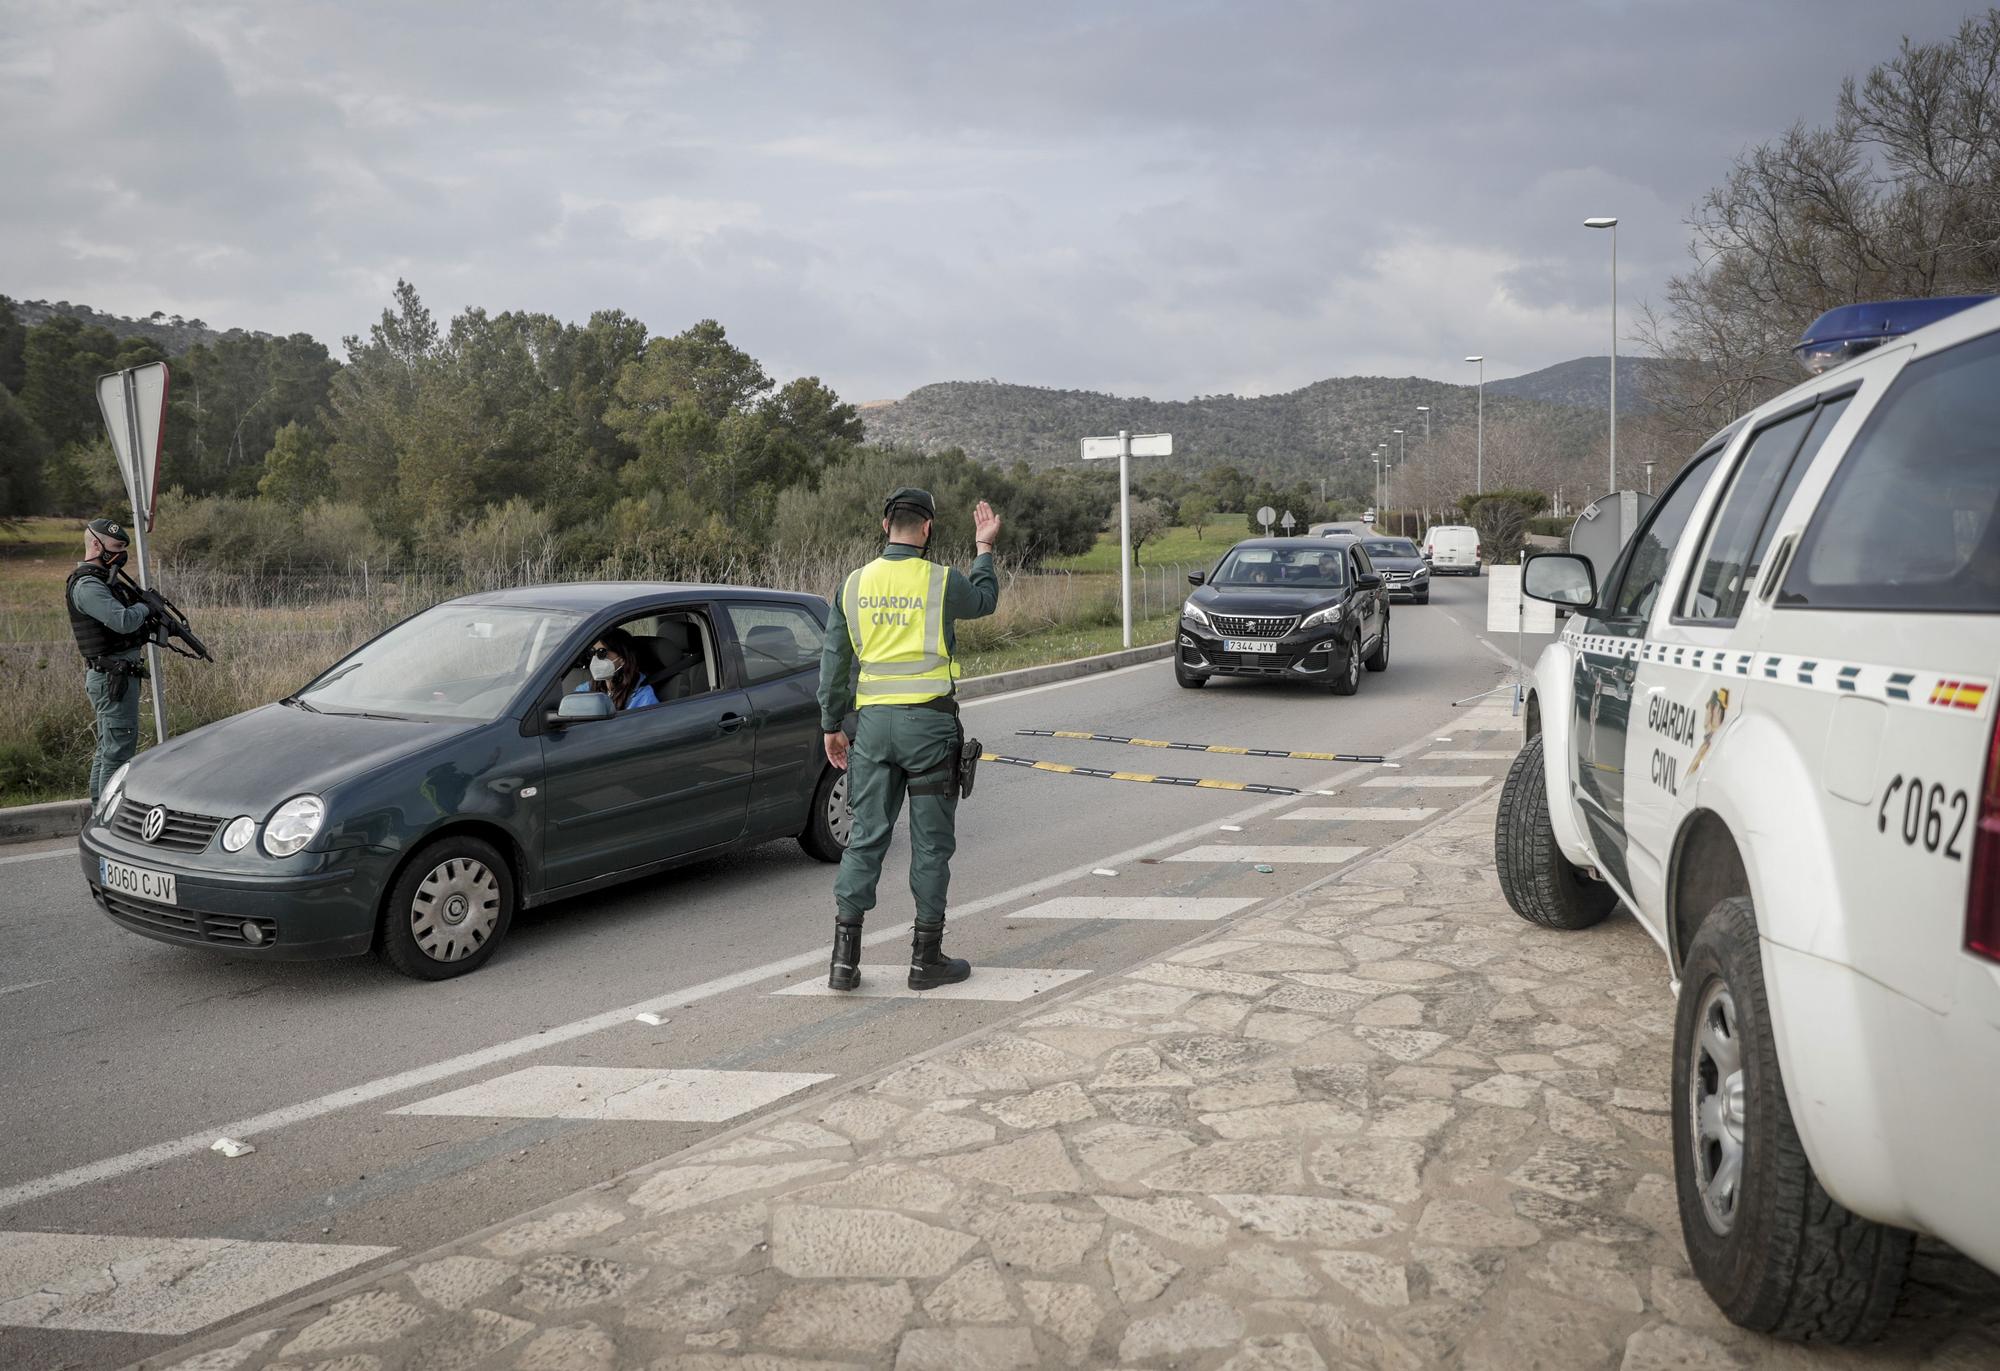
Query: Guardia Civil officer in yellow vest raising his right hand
{"type": "Point", "coordinates": [889, 651]}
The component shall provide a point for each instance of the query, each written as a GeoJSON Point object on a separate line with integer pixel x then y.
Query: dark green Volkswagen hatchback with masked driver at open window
{"type": "Point", "coordinates": [451, 772]}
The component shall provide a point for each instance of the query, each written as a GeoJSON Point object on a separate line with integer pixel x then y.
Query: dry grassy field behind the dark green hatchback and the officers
{"type": "Point", "coordinates": [271, 635]}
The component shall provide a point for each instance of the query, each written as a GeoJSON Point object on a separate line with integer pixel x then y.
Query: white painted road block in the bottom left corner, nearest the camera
{"type": "Point", "coordinates": [103, 1284]}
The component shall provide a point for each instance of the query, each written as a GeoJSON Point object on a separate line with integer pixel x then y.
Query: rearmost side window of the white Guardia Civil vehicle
{"type": "Point", "coordinates": [1913, 517]}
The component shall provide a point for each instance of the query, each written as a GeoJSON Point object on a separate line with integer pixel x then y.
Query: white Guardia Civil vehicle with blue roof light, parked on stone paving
{"type": "Point", "coordinates": [1771, 732]}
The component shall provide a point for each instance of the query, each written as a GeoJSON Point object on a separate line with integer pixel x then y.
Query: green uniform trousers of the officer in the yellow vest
{"type": "Point", "coordinates": [901, 750]}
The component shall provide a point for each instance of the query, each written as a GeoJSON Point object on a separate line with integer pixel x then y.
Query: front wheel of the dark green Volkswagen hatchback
{"type": "Point", "coordinates": [449, 910]}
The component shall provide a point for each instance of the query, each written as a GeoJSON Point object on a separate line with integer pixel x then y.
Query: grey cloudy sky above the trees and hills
{"type": "Point", "coordinates": [1159, 197]}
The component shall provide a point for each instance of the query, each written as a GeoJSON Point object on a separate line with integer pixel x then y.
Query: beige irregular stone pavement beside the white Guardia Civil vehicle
{"type": "Point", "coordinates": [1383, 1126]}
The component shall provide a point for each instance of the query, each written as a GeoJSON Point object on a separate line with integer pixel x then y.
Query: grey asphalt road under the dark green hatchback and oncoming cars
{"type": "Point", "coordinates": [123, 1058]}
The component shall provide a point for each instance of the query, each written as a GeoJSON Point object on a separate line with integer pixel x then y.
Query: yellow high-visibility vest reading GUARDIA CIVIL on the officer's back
{"type": "Point", "coordinates": [895, 615]}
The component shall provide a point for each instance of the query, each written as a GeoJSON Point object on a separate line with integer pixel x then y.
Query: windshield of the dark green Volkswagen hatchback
{"type": "Point", "coordinates": [455, 663]}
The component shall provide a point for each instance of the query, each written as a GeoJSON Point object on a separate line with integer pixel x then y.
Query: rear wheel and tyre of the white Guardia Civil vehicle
{"type": "Point", "coordinates": [1769, 1244]}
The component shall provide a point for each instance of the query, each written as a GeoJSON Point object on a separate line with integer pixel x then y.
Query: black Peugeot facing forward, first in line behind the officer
{"type": "Point", "coordinates": [1287, 609]}
